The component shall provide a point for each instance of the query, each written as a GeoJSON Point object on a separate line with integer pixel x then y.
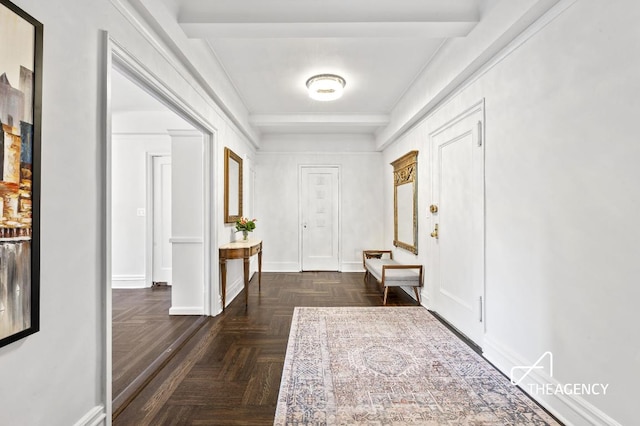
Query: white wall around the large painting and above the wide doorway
{"type": "Point", "coordinates": [57, 376]}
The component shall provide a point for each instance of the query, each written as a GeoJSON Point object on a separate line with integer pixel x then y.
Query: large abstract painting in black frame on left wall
{"type": "Point", "coordinates": [20, 148]}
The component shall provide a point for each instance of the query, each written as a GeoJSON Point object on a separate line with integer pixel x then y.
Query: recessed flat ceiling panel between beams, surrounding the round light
{"type": "Point", "coordinates": [270, 74]}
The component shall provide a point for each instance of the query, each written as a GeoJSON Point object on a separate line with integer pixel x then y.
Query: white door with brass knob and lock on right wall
{"type": "Point", "coordinates": [457, 155]}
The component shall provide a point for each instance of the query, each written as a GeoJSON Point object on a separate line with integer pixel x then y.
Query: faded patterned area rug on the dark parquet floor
{"type": "Point", "coordinates": [391, 366]}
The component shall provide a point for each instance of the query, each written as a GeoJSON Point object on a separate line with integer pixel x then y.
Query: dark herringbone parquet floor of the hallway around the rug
{"type": "Point", "coordinates": [229, 372]}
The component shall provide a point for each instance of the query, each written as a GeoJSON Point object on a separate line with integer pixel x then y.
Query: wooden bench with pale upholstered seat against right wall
{"type": "Point", "coordinates": [391, 273]}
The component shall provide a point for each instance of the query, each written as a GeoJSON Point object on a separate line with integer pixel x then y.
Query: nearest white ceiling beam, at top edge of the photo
{"type": "Point", "coordinates": [328, 18]}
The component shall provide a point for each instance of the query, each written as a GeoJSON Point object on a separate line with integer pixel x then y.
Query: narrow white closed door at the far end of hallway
{"type": "Point", "coordinates": [319, 198]}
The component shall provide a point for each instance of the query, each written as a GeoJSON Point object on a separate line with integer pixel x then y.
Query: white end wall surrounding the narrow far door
{"type": "Point", "coordinates": [277, 199]}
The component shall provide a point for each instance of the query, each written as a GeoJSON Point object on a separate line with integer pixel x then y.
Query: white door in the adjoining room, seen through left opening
{"type": "Point", "coordinates": [161, 217]}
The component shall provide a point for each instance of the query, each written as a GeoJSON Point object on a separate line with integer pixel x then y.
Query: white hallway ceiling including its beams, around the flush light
{"type": "Point", "coordinates": [269, 48]}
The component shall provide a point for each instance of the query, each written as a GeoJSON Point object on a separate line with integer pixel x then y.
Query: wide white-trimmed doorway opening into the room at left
{"type": "Point", "coordinates": [156, 157]}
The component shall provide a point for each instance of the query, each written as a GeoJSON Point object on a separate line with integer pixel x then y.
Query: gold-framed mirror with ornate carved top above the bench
{"type": "Point", "coordinates": [405, 202]}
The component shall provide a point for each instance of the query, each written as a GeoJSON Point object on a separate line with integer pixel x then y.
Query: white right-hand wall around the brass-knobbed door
{"type": "Point", "coordinates": [561, 189]}
